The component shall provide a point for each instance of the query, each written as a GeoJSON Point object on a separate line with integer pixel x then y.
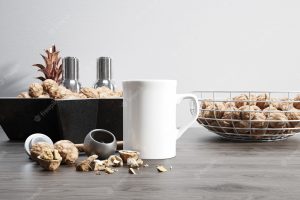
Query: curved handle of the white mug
{"type": "Point", "coordinates": [180, 98]}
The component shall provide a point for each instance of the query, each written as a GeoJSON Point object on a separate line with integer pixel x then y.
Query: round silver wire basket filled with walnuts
{"type": "Point", "coordinates": [250, 115]}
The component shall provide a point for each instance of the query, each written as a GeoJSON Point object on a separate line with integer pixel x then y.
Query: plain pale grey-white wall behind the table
{"type": "Point", "coordinates": [204, 44]}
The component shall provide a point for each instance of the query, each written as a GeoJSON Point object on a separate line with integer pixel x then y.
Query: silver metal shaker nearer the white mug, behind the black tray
{"type": "Point", "coordinates": [104, 73]}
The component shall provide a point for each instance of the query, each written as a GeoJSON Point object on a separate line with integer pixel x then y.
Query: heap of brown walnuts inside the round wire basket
{"type": "Point", "coordinates": [257, 115]}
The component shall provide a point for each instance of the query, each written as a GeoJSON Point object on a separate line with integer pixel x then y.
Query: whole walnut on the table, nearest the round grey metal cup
{"type": "Point", "coordinates": [67, 150]}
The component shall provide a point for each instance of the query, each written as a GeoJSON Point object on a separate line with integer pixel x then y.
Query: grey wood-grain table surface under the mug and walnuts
{"type": "Point", "coordinates": [206, 167]}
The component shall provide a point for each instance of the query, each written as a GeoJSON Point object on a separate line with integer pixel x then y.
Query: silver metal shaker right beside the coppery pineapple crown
{"type": "Point", "coordinates": [70, 66]}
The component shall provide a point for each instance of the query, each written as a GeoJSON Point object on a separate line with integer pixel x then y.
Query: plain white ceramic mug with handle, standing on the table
{"type": "Point", "coordinates": [149, 117]}
